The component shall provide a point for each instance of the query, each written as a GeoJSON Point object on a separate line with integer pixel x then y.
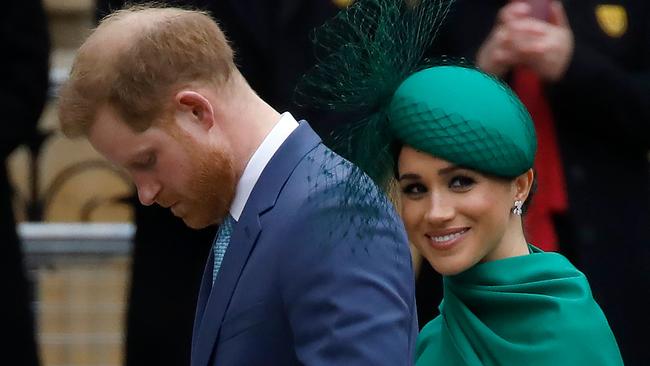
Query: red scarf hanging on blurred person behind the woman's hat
{"type": "Point", "coordinates": [551, 192]}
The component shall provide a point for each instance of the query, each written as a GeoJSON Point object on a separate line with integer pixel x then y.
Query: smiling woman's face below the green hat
{"type": "Point", "coordinates": [457, 217]}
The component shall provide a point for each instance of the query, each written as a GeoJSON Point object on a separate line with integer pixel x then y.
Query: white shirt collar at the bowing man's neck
{"type": "Point", "coordinates": [259, 160]}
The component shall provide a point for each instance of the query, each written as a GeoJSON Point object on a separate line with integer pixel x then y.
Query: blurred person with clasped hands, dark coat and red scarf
{"type": "Point", "coordinates": [583, 71]}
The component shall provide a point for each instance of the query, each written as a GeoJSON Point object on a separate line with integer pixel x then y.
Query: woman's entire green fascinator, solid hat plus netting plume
{"type": "Point", "coordinates": [371, 65]}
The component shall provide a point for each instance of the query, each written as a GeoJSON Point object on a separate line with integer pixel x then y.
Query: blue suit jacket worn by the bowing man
{"type": "Point", "coordinates": [310, 277]}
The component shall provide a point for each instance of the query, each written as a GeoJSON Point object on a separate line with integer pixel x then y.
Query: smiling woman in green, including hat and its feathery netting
{"type": "Point", "coordinates": [461, 147]}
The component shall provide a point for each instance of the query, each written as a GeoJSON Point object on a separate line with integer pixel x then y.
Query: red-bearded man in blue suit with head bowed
{"type": "Point", "coordinates": [302, 271]}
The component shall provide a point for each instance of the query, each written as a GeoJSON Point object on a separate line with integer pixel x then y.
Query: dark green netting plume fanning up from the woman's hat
{"type": "Point", "coordinates": [364, 54]}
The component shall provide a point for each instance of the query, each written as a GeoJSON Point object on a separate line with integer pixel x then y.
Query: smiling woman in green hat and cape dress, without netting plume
{"type": "Point", "coordinates": [465, 176]}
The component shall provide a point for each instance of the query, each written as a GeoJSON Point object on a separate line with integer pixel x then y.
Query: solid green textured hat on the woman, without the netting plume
{"type": "Point", "coordinates": [466, 117]}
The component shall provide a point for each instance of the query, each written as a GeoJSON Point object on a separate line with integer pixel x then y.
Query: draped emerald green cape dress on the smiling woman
{"type": "Point", "coordinates": [535, 309]}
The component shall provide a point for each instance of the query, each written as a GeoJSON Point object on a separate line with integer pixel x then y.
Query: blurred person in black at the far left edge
{"type": "Point", "coordinates": [25, 40]}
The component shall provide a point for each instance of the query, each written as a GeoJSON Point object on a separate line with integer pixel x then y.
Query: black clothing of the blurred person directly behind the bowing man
{"type": "Point", "coordinates": [273, 50]}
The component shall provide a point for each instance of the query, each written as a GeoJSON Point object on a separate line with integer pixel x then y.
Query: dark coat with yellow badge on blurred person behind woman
{"type": "Point", "coordinates": [601, 108]}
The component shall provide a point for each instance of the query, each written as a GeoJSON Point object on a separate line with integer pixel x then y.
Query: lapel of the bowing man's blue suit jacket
{"type": "Point", "coordinates": [210, 316]}
